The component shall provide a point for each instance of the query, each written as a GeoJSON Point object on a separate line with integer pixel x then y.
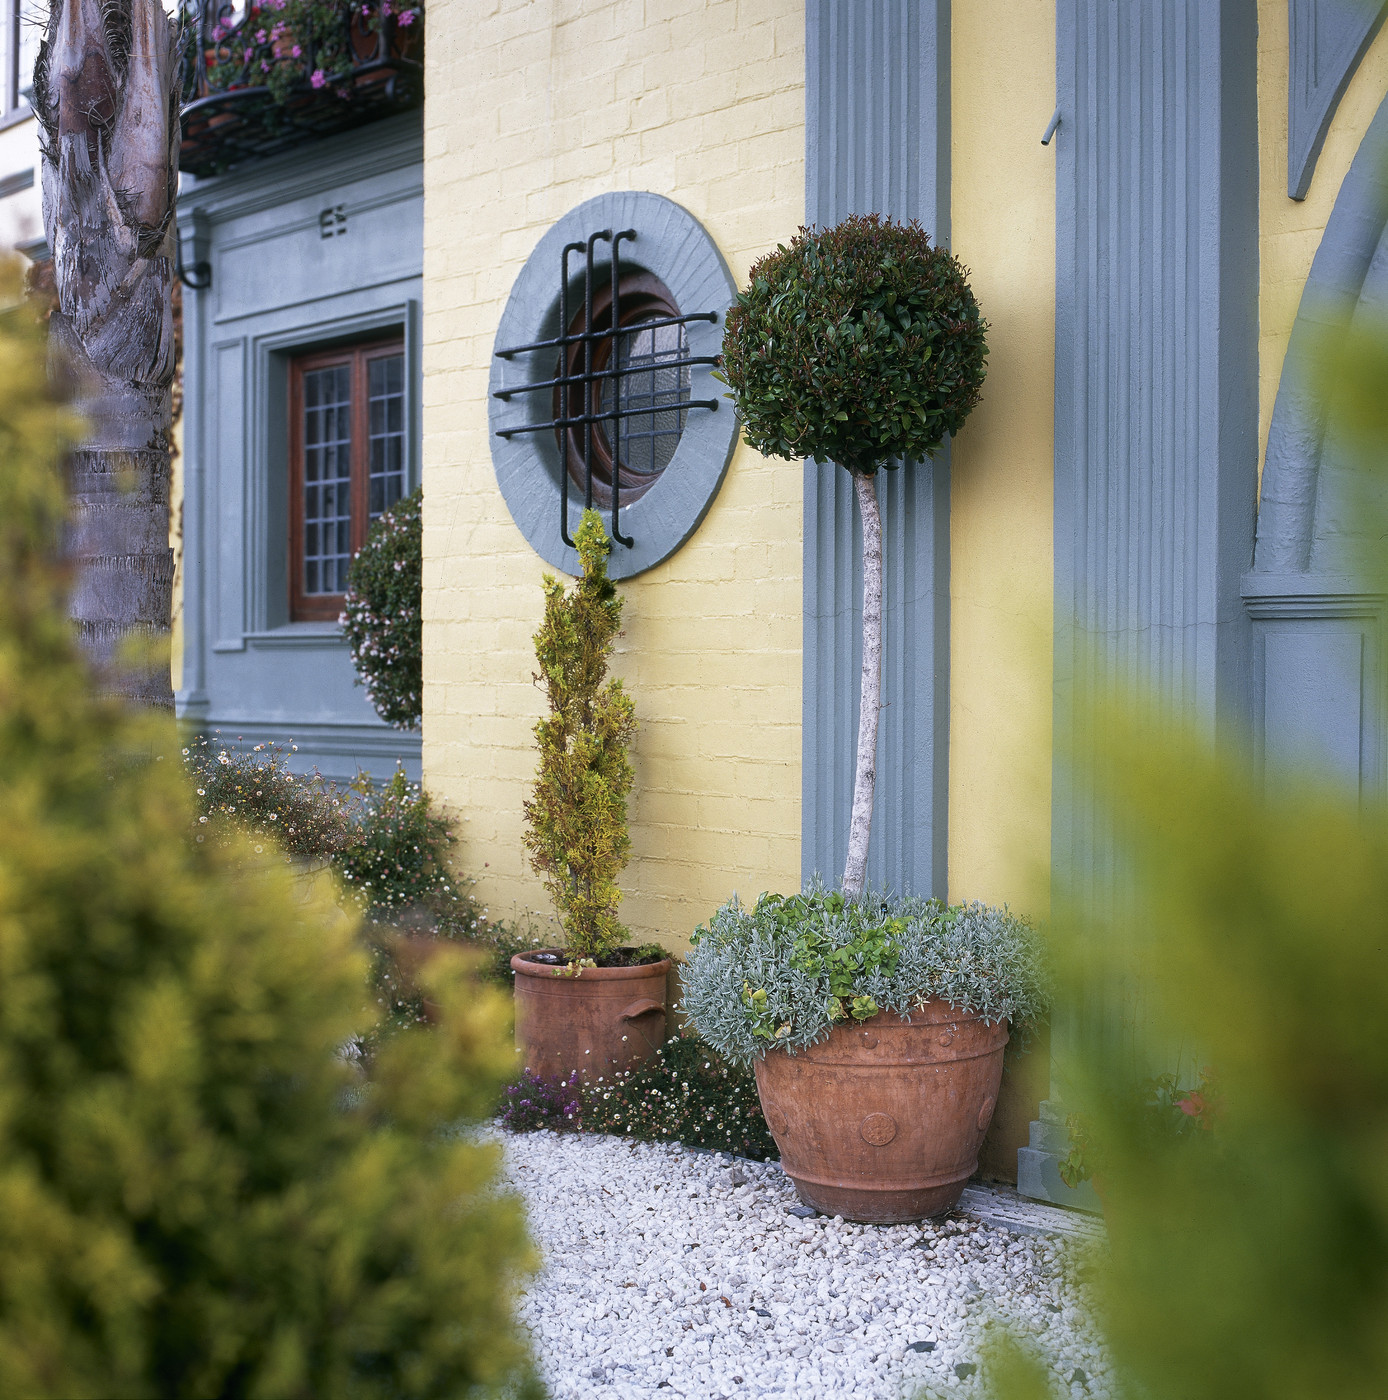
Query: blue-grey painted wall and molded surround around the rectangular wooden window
{"type": "Point", "coordinates": [286, 279]}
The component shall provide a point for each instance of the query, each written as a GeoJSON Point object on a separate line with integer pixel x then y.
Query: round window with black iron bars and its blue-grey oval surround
{"type": "Point", "coordinates": [582, 405]}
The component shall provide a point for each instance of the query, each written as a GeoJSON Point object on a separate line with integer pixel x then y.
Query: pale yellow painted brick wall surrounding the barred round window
{"type": "Point", "coordinates": [533, 108]}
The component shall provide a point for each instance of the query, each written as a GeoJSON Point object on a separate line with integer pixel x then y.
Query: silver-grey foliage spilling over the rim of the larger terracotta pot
{"type": "Point", "coordinates": [980, 960]}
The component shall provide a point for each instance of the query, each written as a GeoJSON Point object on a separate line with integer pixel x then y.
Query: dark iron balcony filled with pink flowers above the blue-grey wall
{"type": "Point", "coordinates": [263, 76]}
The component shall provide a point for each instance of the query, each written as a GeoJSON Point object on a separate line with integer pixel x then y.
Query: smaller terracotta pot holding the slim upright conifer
{"type": "Point", "coordinates": [606, 1018]}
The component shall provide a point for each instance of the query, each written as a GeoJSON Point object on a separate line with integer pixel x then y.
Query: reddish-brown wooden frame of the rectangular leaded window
{"type": "Point", "coordinates": [328, 607]}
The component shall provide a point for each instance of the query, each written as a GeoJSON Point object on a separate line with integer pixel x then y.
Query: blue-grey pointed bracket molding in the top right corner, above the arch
{"type": "Point", "coordinates": [1327, 41]}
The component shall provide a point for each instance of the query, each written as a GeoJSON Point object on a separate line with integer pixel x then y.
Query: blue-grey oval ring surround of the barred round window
{"type": "Point", "coordinates": [674, 246]}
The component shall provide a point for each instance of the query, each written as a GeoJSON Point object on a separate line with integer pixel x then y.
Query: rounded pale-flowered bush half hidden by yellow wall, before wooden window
{"type": "Point", "coordinates": [383, 614]}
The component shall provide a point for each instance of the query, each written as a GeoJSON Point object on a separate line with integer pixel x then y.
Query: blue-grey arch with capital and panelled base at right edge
{"type": "Point", "coordinates": [1319, 628]}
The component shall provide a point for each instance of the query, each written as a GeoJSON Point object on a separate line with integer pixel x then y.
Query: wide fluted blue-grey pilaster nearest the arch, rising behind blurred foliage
{"type": "Point", "coordinates": [1156, 423]}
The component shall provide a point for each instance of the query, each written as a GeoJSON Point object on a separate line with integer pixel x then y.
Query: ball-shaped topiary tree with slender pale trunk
{"type": "Point", "coordinates": [859, 345]}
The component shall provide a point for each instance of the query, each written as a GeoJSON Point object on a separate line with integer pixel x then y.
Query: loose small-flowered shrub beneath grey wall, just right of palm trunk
{"type": "Point", "coordinates": [257, 793]}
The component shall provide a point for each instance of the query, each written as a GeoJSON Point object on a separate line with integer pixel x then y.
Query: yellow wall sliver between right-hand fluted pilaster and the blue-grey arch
{"type": "Point", "coordinates": [1291, 230]}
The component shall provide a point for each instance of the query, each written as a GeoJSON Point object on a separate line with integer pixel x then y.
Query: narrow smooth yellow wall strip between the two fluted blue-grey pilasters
{"type": "Point", "coordinates": [1001, 526]}
